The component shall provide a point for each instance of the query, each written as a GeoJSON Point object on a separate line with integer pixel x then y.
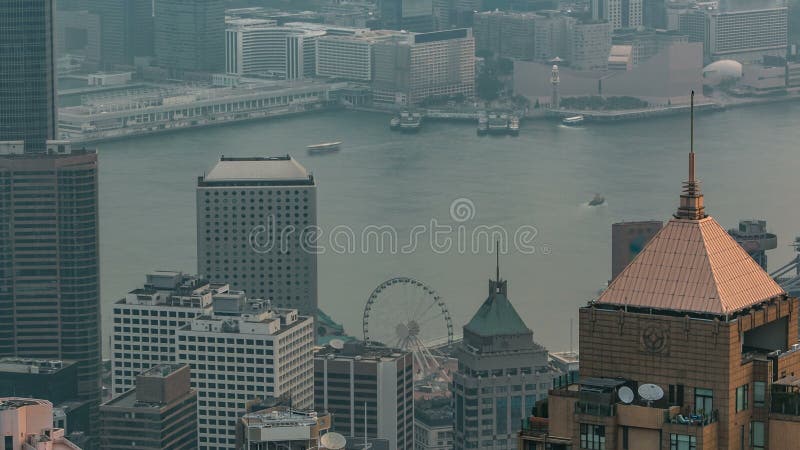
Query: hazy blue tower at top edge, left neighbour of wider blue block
{"type": "Point", "coordinates": [126, 30]}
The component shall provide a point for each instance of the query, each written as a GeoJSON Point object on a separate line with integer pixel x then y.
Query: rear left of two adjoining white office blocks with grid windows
{"type": "Point", "coordinates": [145, 322]}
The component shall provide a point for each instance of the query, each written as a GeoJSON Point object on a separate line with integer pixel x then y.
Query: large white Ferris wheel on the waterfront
{"type": "Point", "coordinates": [406, 313]}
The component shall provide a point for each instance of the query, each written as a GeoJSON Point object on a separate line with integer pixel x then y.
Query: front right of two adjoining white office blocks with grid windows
{"type": "Point", "coordinates": [244, 352]}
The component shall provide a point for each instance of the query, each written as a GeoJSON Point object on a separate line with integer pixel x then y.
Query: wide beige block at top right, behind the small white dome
{"type": "Point", "coordinates": [749, 35]}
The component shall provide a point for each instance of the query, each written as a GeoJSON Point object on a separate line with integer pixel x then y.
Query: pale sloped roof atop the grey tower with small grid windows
{"type": "Point", "coordinates": [280, 169]}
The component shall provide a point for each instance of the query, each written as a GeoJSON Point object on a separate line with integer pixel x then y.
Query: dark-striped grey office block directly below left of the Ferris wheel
{"type": "Point", "coordinates": [376, 381]}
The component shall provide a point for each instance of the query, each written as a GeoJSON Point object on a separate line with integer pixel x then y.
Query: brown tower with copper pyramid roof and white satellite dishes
{"type": "Point", "coordinates": [692, 346]}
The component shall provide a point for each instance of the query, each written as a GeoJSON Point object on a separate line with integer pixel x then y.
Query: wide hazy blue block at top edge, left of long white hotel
{"type": "Point", "coordinates": [190, 35]}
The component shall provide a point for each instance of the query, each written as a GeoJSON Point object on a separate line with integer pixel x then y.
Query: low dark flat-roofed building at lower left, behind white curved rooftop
{"type": "Point", "coordinates": [53, 380]}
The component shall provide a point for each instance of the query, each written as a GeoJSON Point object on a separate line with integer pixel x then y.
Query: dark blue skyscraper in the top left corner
{"type": "Point", "coordinates": [28, 104]}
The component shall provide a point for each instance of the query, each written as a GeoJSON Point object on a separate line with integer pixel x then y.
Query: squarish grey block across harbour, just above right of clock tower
{"type": "Point", "coordinates": [589, 44]}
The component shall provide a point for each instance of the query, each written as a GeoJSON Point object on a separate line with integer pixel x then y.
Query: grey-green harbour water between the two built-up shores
{"type": "Point", "coordinates": [543, 178]}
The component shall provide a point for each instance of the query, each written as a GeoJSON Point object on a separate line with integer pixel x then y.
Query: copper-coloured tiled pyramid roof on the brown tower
{"type": "Point", "coordinates": [692, 266]}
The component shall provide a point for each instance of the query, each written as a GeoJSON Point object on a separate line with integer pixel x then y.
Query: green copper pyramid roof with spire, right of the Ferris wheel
{"type": "Point", "coordinates": [497, 316]}
